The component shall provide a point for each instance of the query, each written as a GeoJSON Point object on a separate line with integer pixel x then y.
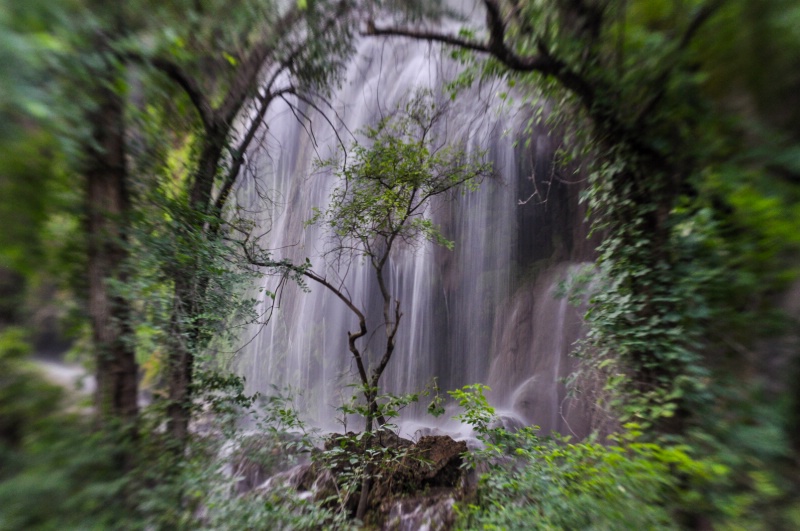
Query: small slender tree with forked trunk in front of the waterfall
{"type": "Point", "coordinates": [383, 199]}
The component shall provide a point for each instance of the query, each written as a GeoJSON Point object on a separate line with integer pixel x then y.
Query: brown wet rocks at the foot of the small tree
{"type": "Point", "coordinates": [415, 485]}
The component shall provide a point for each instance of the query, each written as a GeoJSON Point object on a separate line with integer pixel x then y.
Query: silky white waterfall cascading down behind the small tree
{"type": "Point", "coordinates": [484, 312]}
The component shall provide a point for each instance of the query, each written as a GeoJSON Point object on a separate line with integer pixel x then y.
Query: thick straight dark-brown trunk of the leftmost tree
{"type": "Point", "coordinates": [106, 207]}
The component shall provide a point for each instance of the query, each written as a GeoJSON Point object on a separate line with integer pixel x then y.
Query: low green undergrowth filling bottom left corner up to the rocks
{"type": "Point", "coordinates": [60, 471]}
